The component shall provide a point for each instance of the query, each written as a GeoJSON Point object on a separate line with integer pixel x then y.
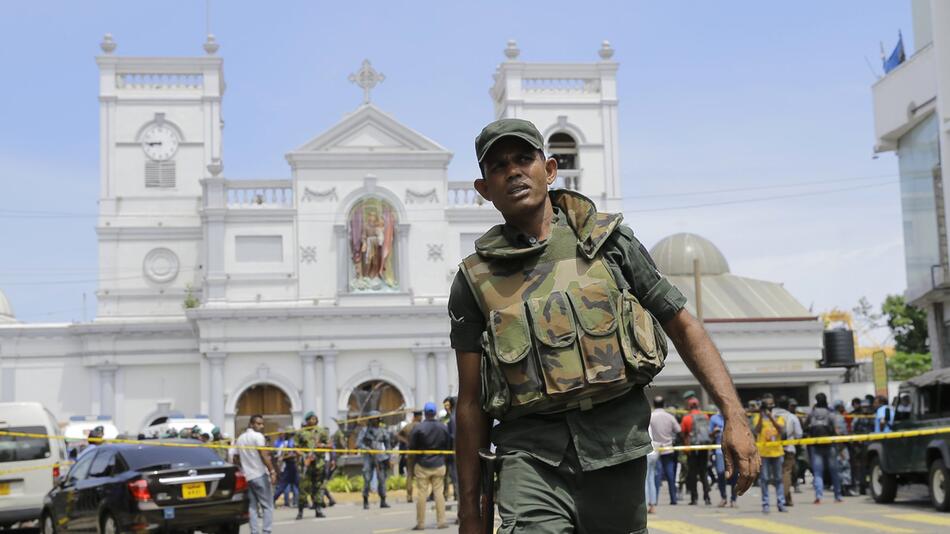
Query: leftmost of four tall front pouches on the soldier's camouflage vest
{"type": "Point", "coordinates": [511, 345]}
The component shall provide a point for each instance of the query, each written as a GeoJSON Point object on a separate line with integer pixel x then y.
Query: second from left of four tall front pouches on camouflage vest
{"type": "Point", "coordinates": [552, 323]}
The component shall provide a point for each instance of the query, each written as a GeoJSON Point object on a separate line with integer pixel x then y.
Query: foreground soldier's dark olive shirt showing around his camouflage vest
{"type": "Point", "coordinates": [612, 432]}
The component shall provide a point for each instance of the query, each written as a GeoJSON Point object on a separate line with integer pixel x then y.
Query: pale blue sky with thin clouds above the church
{"type": "Point", "coordinates": [749, 123]}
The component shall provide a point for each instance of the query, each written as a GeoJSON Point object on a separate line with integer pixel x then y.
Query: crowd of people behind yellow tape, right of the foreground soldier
{"type": "Point", "coordinates": [840, 467]}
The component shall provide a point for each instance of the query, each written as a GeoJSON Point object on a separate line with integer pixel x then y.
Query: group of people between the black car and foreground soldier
{"type": "Point", "coordinates": [301, 477]}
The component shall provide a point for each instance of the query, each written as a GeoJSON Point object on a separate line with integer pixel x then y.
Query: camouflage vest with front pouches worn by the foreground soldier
{"type": "Point", "coordinates": [561, 334]}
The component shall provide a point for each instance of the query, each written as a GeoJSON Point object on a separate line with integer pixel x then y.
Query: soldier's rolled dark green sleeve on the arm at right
{"type": "Point", "coordinates": [651, 288]}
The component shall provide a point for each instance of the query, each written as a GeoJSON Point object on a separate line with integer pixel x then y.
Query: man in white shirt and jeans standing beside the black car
{"type": "Point", "coordinates": [260, 475]}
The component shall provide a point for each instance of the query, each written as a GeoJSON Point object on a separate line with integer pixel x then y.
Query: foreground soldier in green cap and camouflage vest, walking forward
{"type": "Point", "coordinates": [562, 308]}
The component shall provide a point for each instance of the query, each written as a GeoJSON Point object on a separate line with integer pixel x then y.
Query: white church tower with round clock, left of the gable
{"type": "Point", "coordinates": [159, 129]}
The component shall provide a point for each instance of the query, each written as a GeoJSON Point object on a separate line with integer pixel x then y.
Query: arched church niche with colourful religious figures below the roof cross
{"type": "Point", "coordinates": [371, 228]}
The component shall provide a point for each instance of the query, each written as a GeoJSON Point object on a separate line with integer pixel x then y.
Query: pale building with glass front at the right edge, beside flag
{"type": "Point", "coordinates": [912, 118]}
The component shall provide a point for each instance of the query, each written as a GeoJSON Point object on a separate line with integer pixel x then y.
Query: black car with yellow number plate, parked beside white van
{"type": "Point", "coordinates": [137, 488]}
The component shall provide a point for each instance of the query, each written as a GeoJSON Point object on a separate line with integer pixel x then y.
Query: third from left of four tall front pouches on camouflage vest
{"type": "Point", "coordinates": [596, 308]}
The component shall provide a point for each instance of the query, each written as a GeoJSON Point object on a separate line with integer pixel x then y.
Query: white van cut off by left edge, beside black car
{"type": "Point", "coordinates": [29, 466]}
